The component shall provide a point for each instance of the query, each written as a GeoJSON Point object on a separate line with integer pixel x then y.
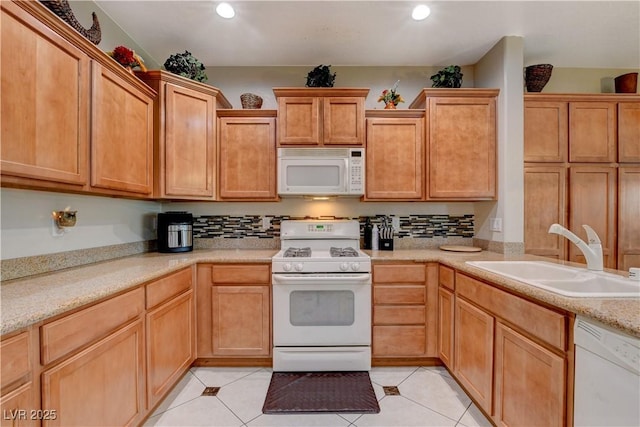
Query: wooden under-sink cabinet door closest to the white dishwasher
{"type": "Point", "coordinates": [529, 382]}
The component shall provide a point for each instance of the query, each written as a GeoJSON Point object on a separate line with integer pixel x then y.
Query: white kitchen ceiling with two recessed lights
{"type": "Point", "coordinates": [583, 34]}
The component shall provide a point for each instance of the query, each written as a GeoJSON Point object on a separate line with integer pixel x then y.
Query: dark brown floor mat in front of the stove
{"type": "Point", "coordinates": [312, 392]}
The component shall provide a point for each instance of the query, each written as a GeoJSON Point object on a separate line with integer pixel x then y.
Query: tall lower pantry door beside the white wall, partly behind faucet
{"type": "Point", "coordinates": [545, 190]}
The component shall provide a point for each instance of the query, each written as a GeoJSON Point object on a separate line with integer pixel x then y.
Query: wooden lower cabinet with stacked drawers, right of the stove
{"type": "Point", "coordinates": [404, 311]}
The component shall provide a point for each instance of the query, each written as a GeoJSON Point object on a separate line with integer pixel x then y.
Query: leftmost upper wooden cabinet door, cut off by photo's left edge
{"type": "Point", "coordinates": [44, 102]}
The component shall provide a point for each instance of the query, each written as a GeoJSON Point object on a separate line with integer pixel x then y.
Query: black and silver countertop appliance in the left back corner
{"type": "Point", "coordinates": [175, 232]}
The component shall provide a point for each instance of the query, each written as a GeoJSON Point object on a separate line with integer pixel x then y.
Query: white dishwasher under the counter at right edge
{"type": "Point", "coordinates": [607, 377]}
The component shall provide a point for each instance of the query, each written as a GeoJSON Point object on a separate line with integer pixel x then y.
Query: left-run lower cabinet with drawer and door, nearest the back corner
{"type": "Point", "coordinates": [170, 333]}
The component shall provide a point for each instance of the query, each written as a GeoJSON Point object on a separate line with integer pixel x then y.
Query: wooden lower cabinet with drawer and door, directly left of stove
{"type": "Point", "coordinates": [233, 312]}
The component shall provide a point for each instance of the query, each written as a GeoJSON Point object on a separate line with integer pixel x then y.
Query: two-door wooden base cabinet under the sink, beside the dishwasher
{"type": "Point", "coordinates": [513, 356]}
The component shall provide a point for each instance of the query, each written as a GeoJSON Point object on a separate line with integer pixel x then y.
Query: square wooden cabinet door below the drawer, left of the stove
{"type": "Point", "coordinates": [241, 320]}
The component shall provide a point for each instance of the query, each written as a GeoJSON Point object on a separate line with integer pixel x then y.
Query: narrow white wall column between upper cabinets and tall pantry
{"type": "Point", "coordinates": [501, 67]}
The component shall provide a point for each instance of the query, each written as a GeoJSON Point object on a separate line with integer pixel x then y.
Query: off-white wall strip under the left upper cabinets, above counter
{"type": "Point", "coordinates": [27, 225]}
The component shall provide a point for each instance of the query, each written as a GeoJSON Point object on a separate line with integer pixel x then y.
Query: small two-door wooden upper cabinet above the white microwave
{"type": "Point", "coordinates": [320, 116]}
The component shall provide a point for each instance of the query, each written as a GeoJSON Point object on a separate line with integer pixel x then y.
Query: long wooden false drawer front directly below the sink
{"type": "Point", "coordinates": [541, 322]}
